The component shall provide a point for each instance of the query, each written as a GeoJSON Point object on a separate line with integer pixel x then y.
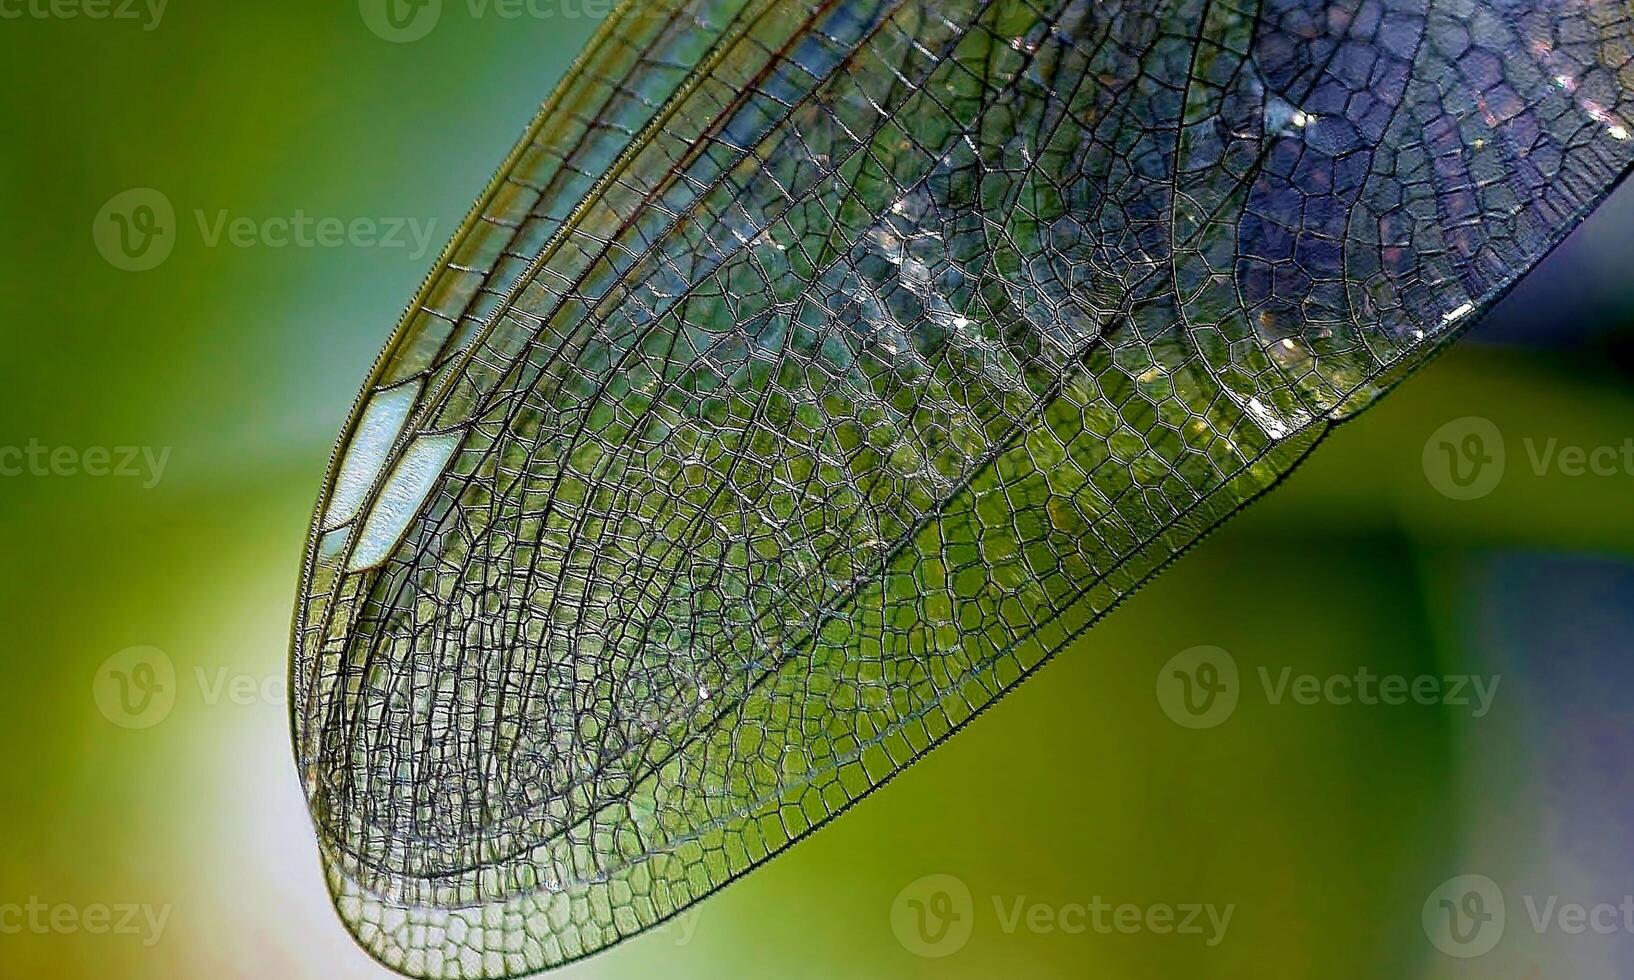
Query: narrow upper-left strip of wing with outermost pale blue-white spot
{"type": "Point", "coordinates": [623, 81]}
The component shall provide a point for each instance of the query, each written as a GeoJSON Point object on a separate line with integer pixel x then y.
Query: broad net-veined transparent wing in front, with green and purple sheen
{"type": "Point", "coordinates": [900, 345]}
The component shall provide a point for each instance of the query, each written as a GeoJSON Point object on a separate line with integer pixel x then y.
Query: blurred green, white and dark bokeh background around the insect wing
{"type": "Point", "coordinates": [1331, 831]}
